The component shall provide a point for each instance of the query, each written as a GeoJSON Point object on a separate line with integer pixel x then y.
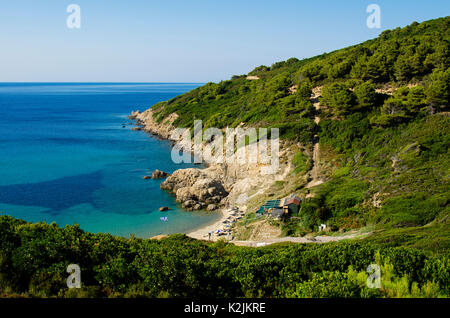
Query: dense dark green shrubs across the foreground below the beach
{"type": "Point", "coordinates": [34, 258]}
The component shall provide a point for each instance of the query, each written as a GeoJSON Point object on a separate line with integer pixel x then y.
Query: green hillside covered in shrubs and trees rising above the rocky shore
{"type": "Point", "coordinates": [384, 129]}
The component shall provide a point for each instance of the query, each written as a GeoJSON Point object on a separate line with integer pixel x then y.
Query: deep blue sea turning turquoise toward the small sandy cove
{"type": "Point", "coordinates": [66, 158]}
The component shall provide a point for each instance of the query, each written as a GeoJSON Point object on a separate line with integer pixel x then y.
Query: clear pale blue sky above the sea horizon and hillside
{"type": "Point", "coordinates": [183, 40]}
